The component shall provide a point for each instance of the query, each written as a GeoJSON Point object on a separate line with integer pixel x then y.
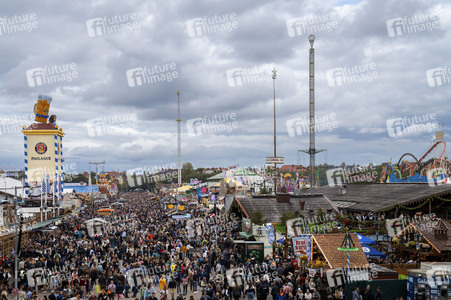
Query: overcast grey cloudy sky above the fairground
{"type": "Point", "coordinates": [113, 69]}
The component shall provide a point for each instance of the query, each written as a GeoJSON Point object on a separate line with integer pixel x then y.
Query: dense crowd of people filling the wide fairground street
{"type": "Point", "coordinates": [145, 253]}
